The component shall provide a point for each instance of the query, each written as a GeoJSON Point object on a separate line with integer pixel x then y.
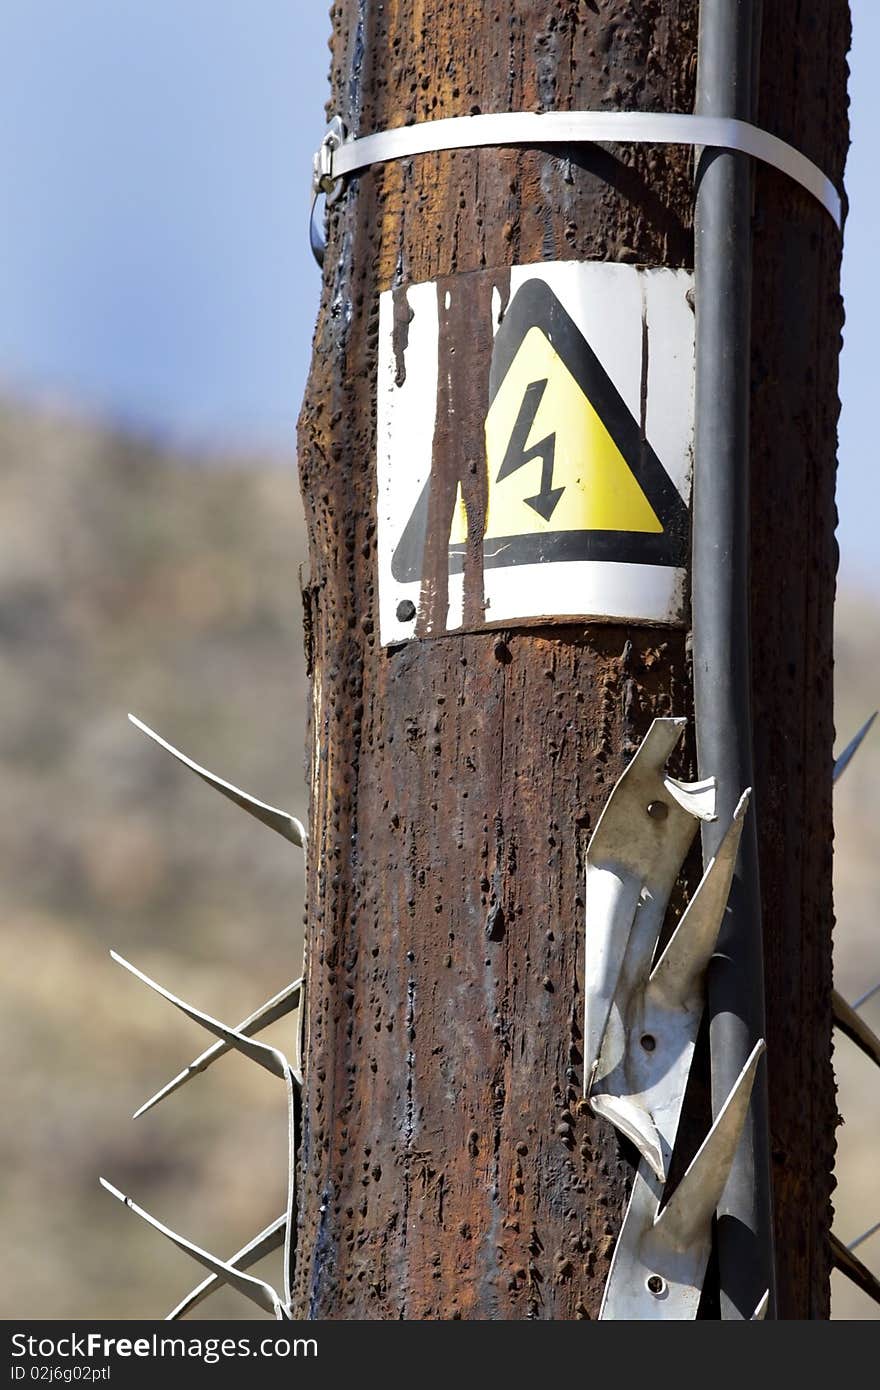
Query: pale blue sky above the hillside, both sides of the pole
{"type": "Point", "coordinates": [155, 268]}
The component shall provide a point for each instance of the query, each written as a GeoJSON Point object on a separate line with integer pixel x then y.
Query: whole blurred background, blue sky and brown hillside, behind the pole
{"type": "Point", "coordinates": [158, 301]}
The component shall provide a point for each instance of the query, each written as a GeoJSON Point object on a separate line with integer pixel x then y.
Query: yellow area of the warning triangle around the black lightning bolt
{"type": "Point", "coordinates": [600, 491]}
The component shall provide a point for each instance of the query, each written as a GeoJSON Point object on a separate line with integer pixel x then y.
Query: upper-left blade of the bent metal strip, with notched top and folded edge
{"type": "Point", "coordinates": [633, 861]}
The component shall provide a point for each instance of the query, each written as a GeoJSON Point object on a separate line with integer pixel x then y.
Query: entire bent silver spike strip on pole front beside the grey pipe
{"type": "Point", "coordinates": [642, 1022]}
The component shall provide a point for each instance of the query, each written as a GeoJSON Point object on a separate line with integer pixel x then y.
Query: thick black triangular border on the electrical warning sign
{"type": "Point", "coordinates": [536, 306]}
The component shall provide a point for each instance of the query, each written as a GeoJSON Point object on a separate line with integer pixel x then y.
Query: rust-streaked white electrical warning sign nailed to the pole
{"type": "Point", "coordinates": [535, 448]}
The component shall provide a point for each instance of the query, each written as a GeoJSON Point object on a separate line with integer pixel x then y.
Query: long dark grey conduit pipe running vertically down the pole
{"type": "Point", "coordinates": [721, 630]}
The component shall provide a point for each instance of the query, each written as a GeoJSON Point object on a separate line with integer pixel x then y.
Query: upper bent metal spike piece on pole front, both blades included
{"type": "Point", "coordinates": [639, 1078]}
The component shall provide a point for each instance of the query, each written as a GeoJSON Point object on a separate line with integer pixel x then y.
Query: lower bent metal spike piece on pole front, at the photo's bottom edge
{"type": "Point", "coordinates": [662, 1253]}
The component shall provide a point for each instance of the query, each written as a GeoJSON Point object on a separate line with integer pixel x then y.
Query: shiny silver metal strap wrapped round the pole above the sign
{"type": "Point", "coordinates": [341, 156]}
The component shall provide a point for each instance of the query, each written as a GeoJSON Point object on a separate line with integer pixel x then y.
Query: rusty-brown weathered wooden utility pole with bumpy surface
{"type": "Point", "coordinates": [448, 1170]}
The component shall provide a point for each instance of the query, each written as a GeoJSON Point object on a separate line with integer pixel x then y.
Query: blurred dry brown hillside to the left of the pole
{"type": "Point", "coordinates": [131, 582]}
